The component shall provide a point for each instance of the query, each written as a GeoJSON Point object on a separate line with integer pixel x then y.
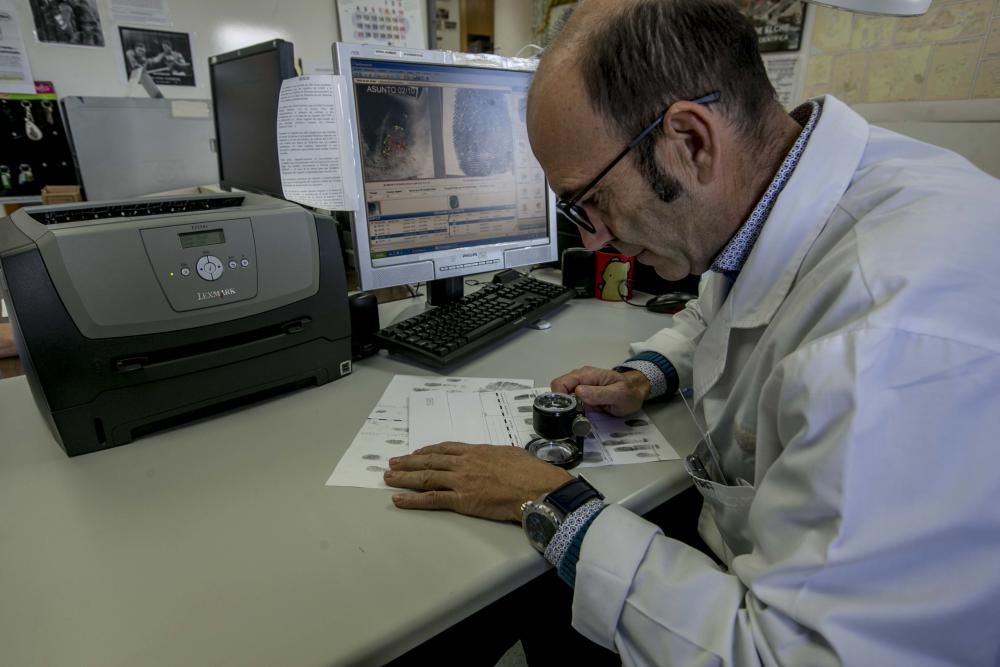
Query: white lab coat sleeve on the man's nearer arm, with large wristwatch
{"type": "Point", "coordinates": [875, 529]}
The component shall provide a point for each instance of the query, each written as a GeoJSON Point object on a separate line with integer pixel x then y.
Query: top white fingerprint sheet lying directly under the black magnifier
{"type": "Point", "coordinates": [505, 418]}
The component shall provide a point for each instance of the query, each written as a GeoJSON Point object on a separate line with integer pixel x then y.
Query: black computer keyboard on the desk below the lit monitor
{"type": "Point", "coordinates": [444, 335]}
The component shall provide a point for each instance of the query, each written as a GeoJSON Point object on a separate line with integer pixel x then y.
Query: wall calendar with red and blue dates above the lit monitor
{"type": "Point", "coordinates": [384, 22]}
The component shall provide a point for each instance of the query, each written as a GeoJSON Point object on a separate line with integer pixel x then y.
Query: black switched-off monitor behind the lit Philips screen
{"type": "Point", "coordinates": [245, 87]}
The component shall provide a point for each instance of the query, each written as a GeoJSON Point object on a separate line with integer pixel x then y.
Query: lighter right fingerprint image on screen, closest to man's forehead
{"type": "Point", "coordinates": [479, 137]}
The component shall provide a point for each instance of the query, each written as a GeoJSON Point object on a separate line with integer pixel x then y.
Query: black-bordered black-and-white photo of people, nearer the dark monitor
{"type": "Point", "coordinates": [166, 56]}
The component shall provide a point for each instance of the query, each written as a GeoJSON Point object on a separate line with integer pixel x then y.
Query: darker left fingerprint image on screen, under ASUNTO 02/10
{"type": "Point", "coordinates": [395, 127]}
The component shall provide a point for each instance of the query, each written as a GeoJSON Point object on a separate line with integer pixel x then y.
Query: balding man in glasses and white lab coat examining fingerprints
{"type": "Point", "coordinates": [843, 357]}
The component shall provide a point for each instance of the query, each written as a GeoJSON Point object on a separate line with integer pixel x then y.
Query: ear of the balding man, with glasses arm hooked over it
{"type": "Point", "coordinates": [693, 146]}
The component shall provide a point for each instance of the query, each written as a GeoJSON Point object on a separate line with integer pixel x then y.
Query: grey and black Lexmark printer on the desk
{"type": "Point", "coordinates": [135, 316]}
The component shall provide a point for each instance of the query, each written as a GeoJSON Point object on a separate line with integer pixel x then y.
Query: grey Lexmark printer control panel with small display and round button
{"type": "Point", "coordinates": [203, 265]}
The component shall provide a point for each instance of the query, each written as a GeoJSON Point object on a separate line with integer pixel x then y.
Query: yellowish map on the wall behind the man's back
{"type": "Point", "coordinates": [950, 53]}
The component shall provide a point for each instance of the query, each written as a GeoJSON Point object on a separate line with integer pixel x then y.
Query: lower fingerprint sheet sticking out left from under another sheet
{"type": "Point", "coordinates": [385, 433]}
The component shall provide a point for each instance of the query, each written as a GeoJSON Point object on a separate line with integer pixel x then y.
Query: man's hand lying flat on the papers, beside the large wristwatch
{"type": "Point", "coordinates": [480, 480]}
